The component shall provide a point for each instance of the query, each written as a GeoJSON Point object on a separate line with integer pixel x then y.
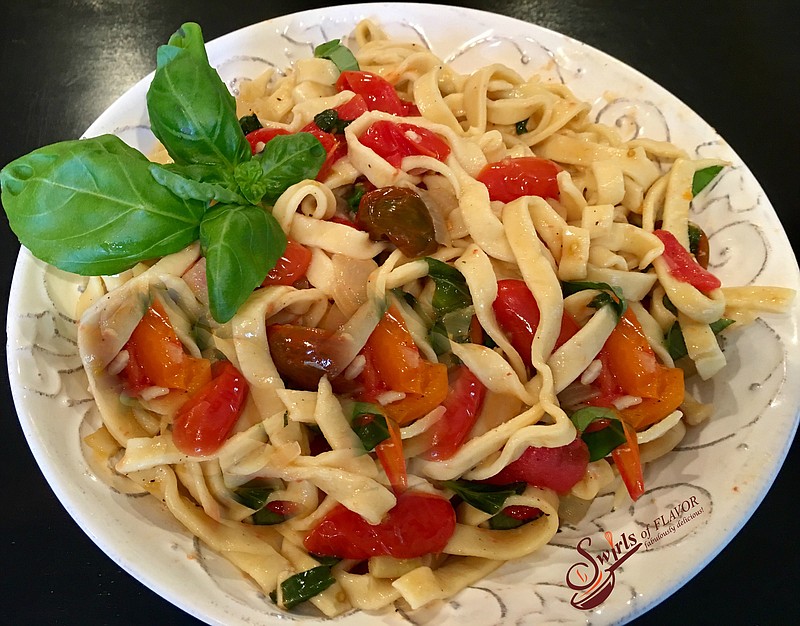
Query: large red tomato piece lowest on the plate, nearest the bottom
{"type": "Point", "coordinates": [419, 524]}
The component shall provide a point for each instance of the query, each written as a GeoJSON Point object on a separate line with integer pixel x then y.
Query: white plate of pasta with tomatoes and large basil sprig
{"type": "Point", "coordinates": [393, 313]}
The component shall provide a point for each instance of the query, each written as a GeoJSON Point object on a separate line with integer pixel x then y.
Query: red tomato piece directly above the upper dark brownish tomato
{"type": "Point", "coordinates": [394, 141]}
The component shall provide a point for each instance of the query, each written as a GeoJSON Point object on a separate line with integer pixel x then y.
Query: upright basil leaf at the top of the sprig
{"type": "Point", "coordinates": [191, 110]}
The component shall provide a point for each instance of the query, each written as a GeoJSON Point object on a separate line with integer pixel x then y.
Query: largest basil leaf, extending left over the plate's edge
{"type": "Point", "coordinates": [90, 207]}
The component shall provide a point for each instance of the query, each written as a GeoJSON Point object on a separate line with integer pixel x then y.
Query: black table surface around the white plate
{"type": "Point", "coordinates": [63, 62]}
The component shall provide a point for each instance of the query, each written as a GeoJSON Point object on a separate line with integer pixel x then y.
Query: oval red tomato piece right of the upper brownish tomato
{"type": "Point", "coordinates": [513, 178]}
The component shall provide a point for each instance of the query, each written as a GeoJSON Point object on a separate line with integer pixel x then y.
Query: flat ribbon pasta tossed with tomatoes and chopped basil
{"type": "Point", "coordinates": [513, 278]}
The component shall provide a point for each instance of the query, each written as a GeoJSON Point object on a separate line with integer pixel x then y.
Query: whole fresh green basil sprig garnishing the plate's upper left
{"type": "Point", "coordinates": [97, 206]}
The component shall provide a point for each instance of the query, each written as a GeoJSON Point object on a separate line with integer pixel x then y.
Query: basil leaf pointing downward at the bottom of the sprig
{"type": "Point", "coordinates": [241, 244]}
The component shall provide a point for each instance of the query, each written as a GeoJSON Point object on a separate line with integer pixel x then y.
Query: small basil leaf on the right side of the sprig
{"type": "Point", "coordinates": [289, 159]}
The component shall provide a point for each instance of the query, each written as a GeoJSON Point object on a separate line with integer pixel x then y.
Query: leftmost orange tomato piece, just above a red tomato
{"type": "Point", "coordinates": [156, 357]}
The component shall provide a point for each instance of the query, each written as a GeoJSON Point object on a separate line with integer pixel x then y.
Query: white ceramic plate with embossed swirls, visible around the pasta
{"type": "Point", "coordinates": [694, 503]}
